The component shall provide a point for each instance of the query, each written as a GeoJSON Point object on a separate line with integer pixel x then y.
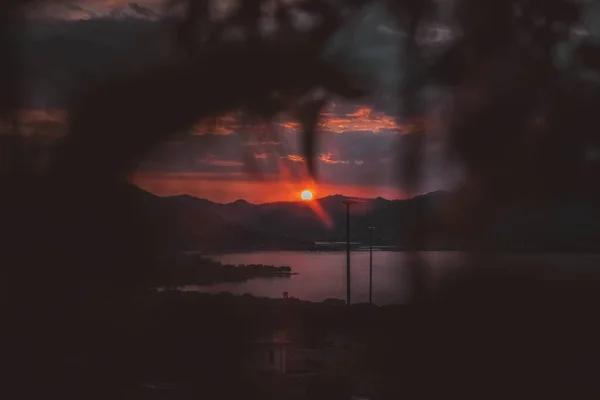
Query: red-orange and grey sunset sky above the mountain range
{"type": "Point", "coordinates": [68, 42]}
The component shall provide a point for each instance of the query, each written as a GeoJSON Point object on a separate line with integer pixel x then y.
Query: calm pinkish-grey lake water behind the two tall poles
{"type": "Point", "coordinates": [323, 275]}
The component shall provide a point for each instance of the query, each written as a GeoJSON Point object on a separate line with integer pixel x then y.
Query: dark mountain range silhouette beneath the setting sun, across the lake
{"type": "Point", "coordinates": [188, 223]}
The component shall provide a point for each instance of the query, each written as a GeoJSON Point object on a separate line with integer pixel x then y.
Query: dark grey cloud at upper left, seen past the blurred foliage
{"type": "Point", "coordinates": [60, 57]}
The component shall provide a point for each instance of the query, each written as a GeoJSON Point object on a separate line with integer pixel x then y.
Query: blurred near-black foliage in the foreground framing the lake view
{"type": "Point", "coordinates": [77, 323]}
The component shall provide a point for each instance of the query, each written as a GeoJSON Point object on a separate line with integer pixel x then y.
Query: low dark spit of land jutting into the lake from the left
{"type": "Point", "coordinates": [199, 270]}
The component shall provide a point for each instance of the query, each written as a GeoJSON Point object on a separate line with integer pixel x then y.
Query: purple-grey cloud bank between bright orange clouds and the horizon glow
{"type": "Point", "coordinates": [352, 158]}
